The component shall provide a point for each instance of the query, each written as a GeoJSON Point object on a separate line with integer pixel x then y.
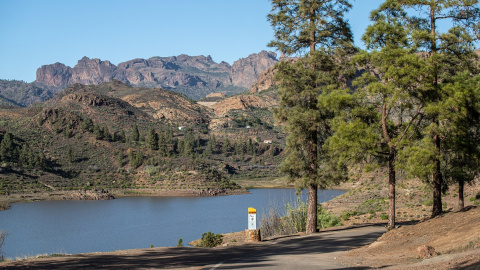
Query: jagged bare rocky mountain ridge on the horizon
{"type": "Point", "coordinates": [194, 76]}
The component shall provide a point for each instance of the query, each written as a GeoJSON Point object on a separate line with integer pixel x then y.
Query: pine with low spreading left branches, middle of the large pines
{"type": "Point", "coordinates": [386, 107]}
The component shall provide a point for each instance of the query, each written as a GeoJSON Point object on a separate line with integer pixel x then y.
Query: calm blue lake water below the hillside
{"type": "Point", "coordinates": [132, 222]}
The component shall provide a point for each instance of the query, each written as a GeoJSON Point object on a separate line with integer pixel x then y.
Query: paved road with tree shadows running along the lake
{"type": "Point", "coordinates": [316, 251]}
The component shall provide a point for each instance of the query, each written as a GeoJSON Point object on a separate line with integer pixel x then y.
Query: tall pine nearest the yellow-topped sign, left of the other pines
{"type": "Point", "coordinates": [320, 29]}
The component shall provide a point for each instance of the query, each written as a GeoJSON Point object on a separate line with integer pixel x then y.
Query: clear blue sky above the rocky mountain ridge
{"type": "Point", "coordinates": [39, 32]}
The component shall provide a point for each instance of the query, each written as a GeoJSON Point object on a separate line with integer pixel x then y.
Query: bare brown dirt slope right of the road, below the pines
{"type": "Point", "coordinates": [455, 237]}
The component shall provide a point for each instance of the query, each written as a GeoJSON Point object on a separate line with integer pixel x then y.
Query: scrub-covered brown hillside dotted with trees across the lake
{"type": "Point", "coordinates": [127, 140]}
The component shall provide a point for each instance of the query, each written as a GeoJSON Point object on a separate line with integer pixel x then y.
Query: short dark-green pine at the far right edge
{"type": "Point", "coordinates": [461, 138]}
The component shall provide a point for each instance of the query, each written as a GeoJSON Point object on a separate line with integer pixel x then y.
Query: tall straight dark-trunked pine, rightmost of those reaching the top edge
{"type": "Point", "coordinates": [445, 54]}
